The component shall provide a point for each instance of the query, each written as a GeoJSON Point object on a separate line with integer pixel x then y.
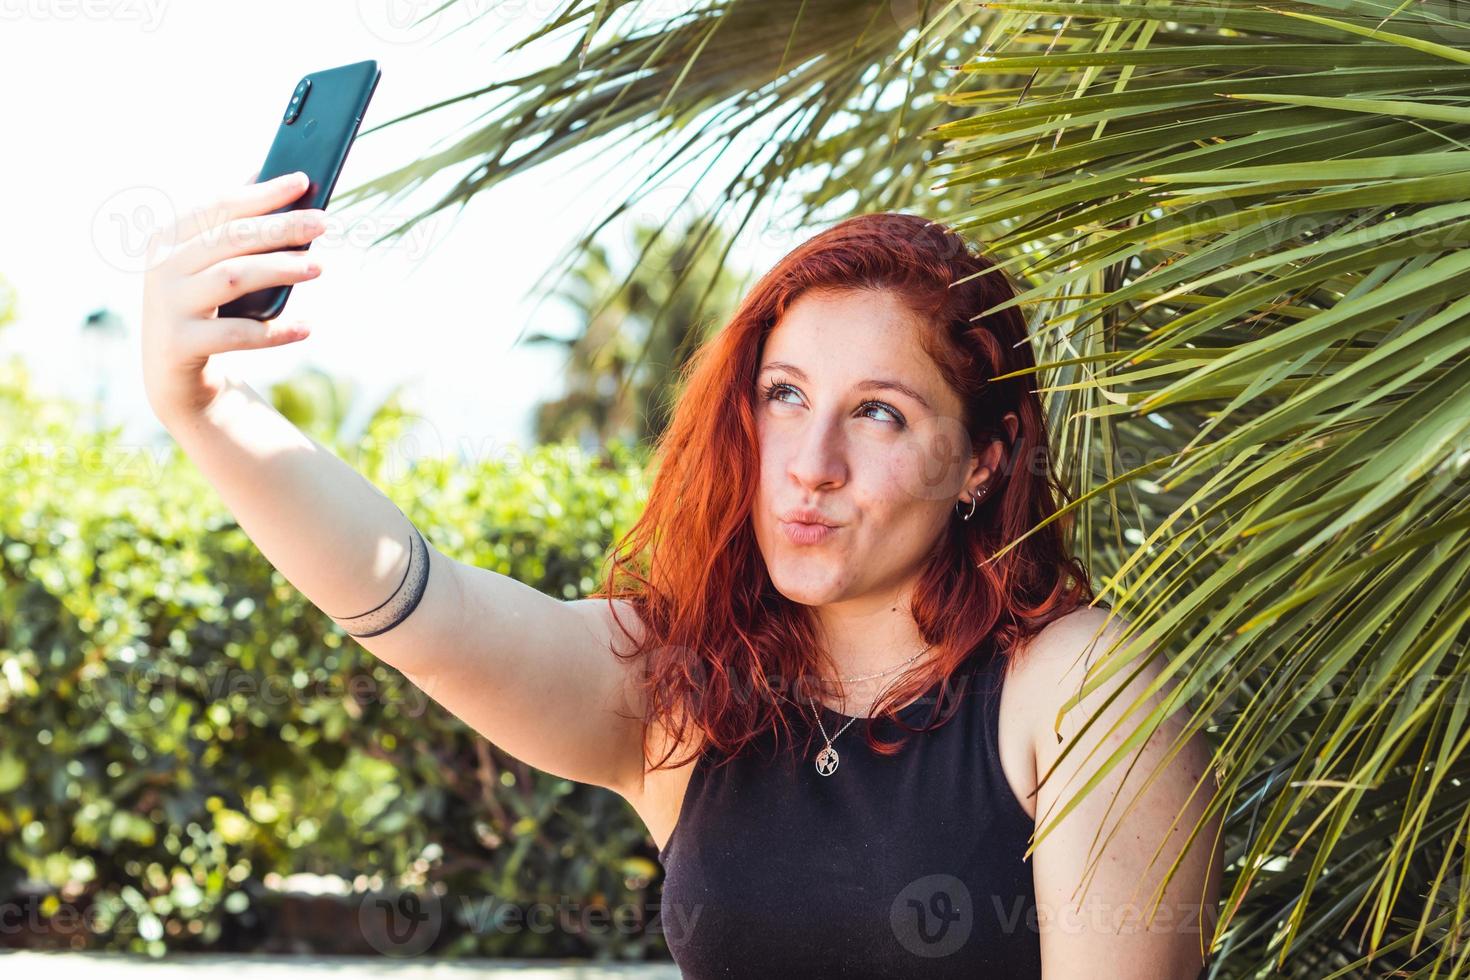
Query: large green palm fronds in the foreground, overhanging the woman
{"type": "Point", "coordinates": [1241, 231]}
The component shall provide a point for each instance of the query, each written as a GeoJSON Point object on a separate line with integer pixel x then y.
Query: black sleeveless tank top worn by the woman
{"type": "Point", "coordinates": [908, 866]}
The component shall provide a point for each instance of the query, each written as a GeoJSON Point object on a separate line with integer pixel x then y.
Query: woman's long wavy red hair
{"type": "Point", "coordinates": [715, 628]}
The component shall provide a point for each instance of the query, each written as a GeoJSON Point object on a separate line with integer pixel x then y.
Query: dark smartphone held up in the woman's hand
{"type": "Point", "coordinates": [318, 129]}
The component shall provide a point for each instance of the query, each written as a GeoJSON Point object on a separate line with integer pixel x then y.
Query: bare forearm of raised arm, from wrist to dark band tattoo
{"type": "Point", "coordinates": [334, 536]}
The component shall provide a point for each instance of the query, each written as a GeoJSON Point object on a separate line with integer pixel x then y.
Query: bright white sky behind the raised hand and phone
{"type": "Point", "coordinates": [117, 109]}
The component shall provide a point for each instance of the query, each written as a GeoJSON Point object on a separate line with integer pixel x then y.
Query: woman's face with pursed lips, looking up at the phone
{"type": "Point", "coordinates": [856, 424]}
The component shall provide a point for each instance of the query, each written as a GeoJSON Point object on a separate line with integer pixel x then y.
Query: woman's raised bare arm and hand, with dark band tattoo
{"type": "Point", "coordinates": [531, 674]}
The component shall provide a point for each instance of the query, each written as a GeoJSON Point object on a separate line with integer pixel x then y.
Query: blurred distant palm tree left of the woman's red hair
{"type": "Point", "coordinates": [636, 336]}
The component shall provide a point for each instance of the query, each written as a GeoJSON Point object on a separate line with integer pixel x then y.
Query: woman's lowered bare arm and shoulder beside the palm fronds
{"type": "Point", "coordinates": [1119, 809]}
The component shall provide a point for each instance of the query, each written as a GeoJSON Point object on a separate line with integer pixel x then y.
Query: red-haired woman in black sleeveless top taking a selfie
{"type": "Point", "coordinates": [817, 553]}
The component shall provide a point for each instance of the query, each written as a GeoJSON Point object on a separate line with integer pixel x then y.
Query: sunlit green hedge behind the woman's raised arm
{"type": "Point", "coordinates": [182, 727]}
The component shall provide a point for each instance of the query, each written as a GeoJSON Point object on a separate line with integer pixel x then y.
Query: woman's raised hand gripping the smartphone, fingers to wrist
{"type": "Point", "coordinates": [201, 262]}
